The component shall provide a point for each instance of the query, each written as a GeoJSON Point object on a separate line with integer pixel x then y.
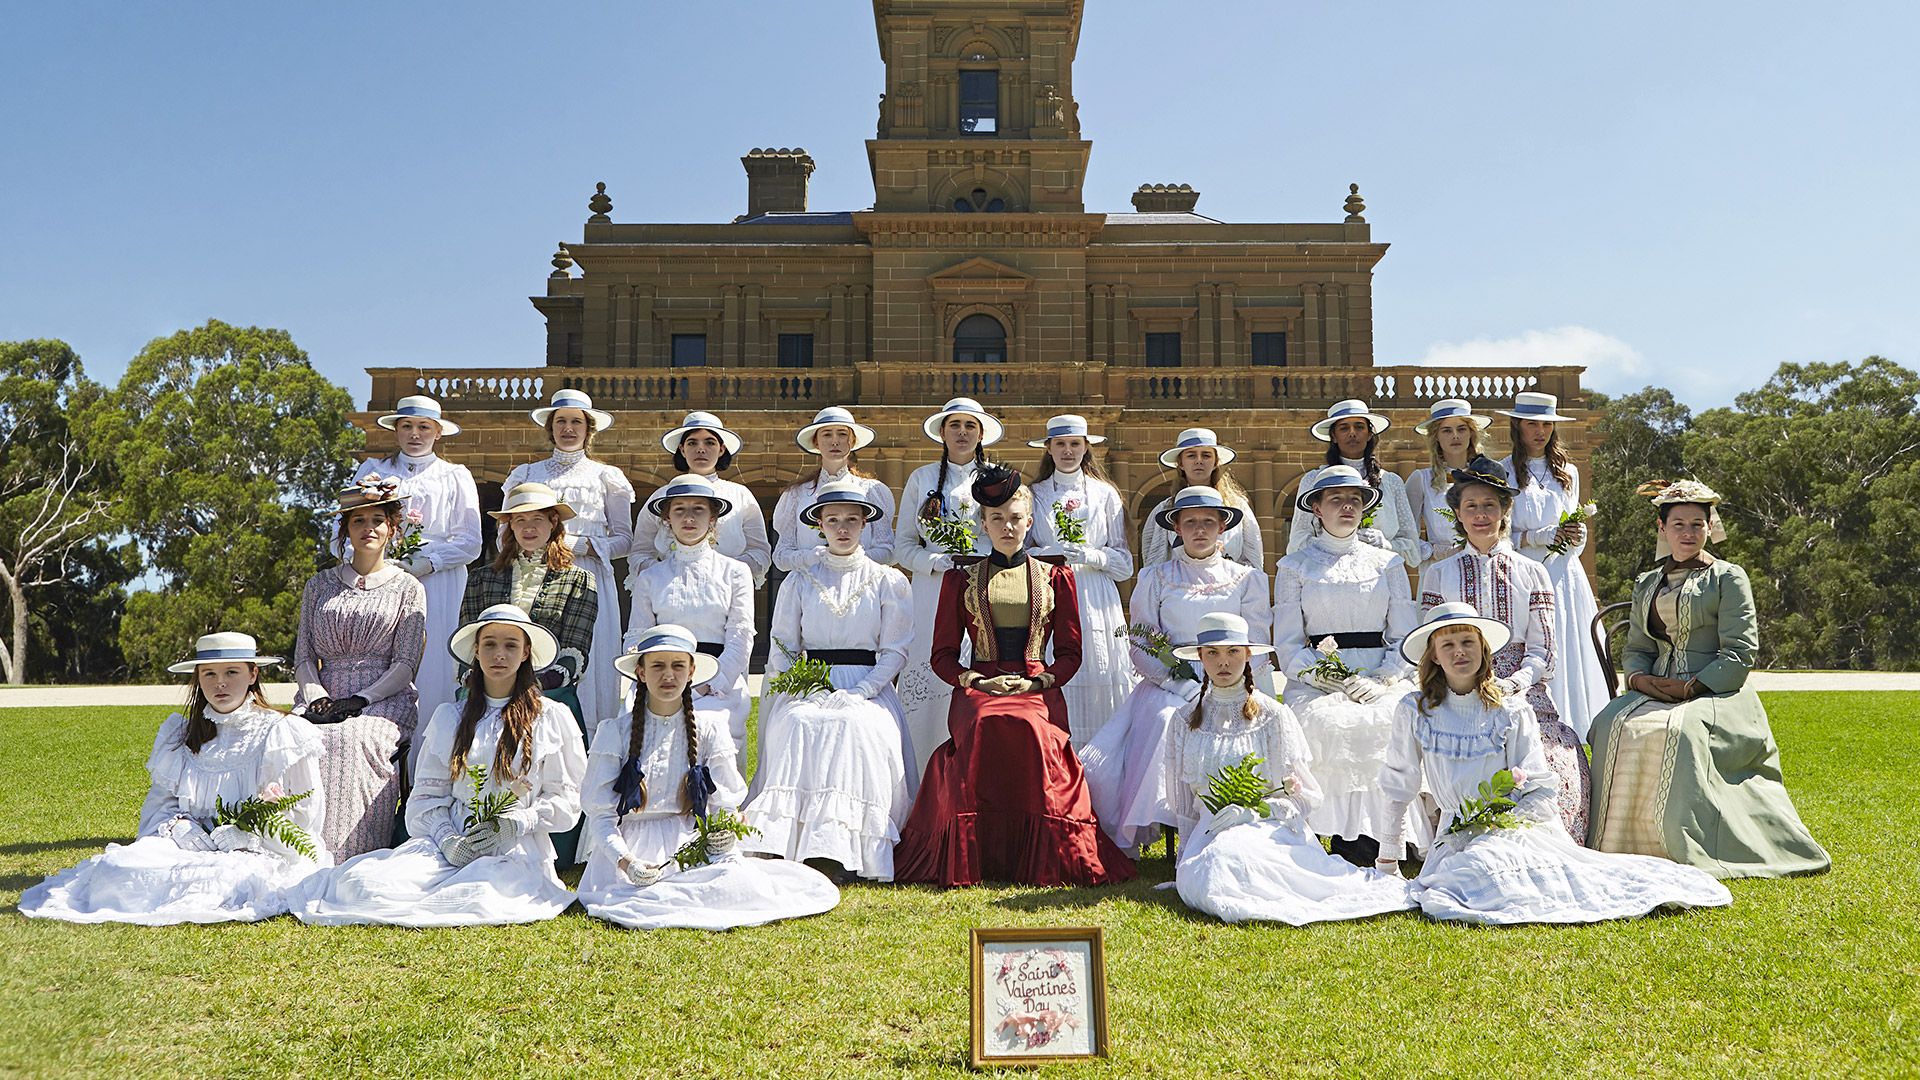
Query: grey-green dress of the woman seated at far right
{"type": "Point", "coordinates": [1696, 783]}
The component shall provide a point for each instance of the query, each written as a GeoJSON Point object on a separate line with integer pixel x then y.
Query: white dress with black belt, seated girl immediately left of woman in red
{"type": "Point", "coordinates": [832, 779]}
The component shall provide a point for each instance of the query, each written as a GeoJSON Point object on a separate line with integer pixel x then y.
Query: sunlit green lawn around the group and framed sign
{"type": "Point", "coordinates": [1798, 977]}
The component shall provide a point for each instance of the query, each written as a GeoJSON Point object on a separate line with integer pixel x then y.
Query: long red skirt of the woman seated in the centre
{"type": "Point", "coordinates": [1005, 800]}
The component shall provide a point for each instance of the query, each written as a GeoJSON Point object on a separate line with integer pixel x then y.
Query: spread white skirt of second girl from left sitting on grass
{"type": "Point", "coordinates": [414, 885]}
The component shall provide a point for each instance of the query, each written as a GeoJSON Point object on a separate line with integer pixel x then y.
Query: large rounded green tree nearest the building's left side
{"type": "Point", "coordinates": [229, 449]}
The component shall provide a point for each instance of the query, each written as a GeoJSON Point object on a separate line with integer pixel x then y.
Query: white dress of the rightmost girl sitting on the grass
{"type": "Point", "coordinates": [1518, 875]}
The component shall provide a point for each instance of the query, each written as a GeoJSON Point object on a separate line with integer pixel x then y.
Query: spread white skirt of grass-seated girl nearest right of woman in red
{"type": "Point", "coordinates": [1241, 868]}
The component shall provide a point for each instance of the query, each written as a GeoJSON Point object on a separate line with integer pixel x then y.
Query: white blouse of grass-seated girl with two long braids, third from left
{"type": "Point", "coordinates": [663, 762]}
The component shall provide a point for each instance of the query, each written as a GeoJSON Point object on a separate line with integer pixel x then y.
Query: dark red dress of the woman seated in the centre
{"type": "Point", "coordinates": [1005, 798]}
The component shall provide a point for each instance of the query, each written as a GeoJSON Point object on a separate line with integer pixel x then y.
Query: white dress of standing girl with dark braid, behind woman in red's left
{"type": "Point", "coordinates": [923, 693]}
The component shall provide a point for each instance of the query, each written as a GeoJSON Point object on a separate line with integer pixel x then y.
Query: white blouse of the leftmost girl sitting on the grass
{"type": "Point", "coordinates": [251, 749]}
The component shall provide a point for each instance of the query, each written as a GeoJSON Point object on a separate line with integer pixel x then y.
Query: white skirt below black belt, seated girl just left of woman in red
{"type": "Point", "coordinates": [832, 783]}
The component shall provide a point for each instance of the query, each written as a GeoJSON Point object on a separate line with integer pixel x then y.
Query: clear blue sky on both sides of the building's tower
{"type": "Point", "coordinates": [1669, 193]}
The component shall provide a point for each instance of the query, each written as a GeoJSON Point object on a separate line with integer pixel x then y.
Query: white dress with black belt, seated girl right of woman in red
{"type": "Point", "coordinates": [1345, 587]}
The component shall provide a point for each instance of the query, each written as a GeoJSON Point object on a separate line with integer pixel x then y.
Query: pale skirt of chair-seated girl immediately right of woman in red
{"type": "Point", "coordinates": [1128, 764]}
